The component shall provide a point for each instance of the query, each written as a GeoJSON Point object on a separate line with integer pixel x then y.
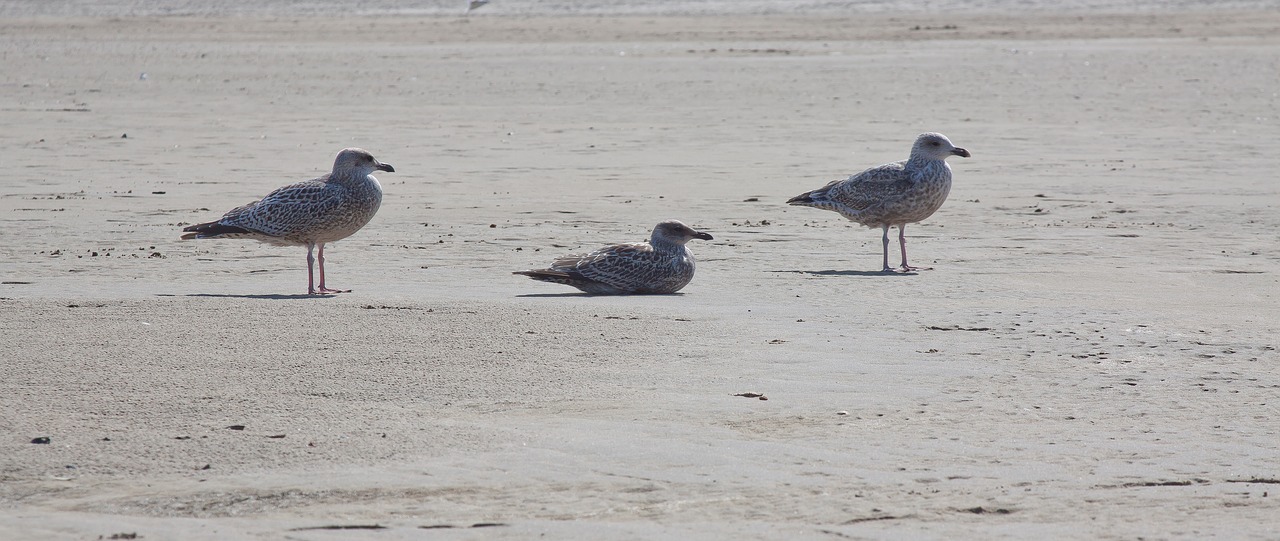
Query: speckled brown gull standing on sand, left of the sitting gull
{"type": "Point", "coordinates": [310, 213]}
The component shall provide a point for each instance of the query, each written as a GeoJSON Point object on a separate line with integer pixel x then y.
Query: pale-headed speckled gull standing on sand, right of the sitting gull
{"type": "Point", "coordinates": [898, 194]}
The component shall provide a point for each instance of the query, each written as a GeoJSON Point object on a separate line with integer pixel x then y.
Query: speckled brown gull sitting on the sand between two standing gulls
{"type": "Point", "coordinates": [662, 265]}
